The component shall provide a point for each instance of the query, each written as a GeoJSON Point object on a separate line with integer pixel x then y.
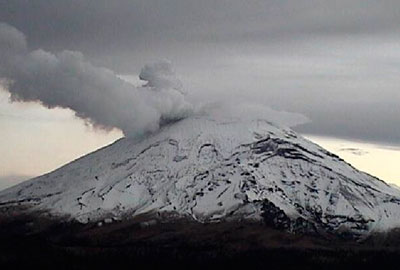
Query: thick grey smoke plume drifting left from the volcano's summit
{"type": "Point", "coordinates": [95, 94]}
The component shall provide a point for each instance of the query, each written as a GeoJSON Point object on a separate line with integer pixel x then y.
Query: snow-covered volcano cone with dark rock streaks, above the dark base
{"type": "Point", "coordinates": [211, 170]}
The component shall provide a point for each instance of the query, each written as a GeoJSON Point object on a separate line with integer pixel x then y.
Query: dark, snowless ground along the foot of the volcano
{"type": "Point", "coordinates": [27, 241]}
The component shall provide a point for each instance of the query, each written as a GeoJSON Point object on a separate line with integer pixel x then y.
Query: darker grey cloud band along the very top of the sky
{"type": "Point", "coordinates": [130, 26]}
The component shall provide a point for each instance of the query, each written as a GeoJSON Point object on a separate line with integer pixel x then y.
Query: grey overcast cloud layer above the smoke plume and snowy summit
{"type": "Point", "coordinates": [336, 62]}
